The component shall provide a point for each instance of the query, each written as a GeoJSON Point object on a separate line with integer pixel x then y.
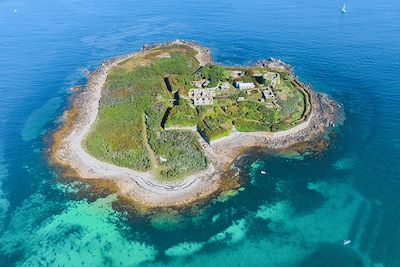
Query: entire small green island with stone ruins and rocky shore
{"type": "Point", "coordinates": [165, 124]}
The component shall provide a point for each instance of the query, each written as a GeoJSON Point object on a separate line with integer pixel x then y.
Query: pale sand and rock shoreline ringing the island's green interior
{"type": "Point", "coordinates": [142, 187]}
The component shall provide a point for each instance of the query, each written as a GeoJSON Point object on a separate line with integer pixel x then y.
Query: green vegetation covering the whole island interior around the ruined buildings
{"type": "Point", "coordinates": [146, 101]}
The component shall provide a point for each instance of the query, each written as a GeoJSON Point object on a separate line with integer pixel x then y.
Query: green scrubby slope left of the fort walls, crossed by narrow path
{"type": "Point", "coordinates": [133, 89]}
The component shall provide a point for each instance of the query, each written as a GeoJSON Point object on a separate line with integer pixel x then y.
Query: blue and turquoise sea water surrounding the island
{"type": "Point", "coordinates": [298, 214]}
